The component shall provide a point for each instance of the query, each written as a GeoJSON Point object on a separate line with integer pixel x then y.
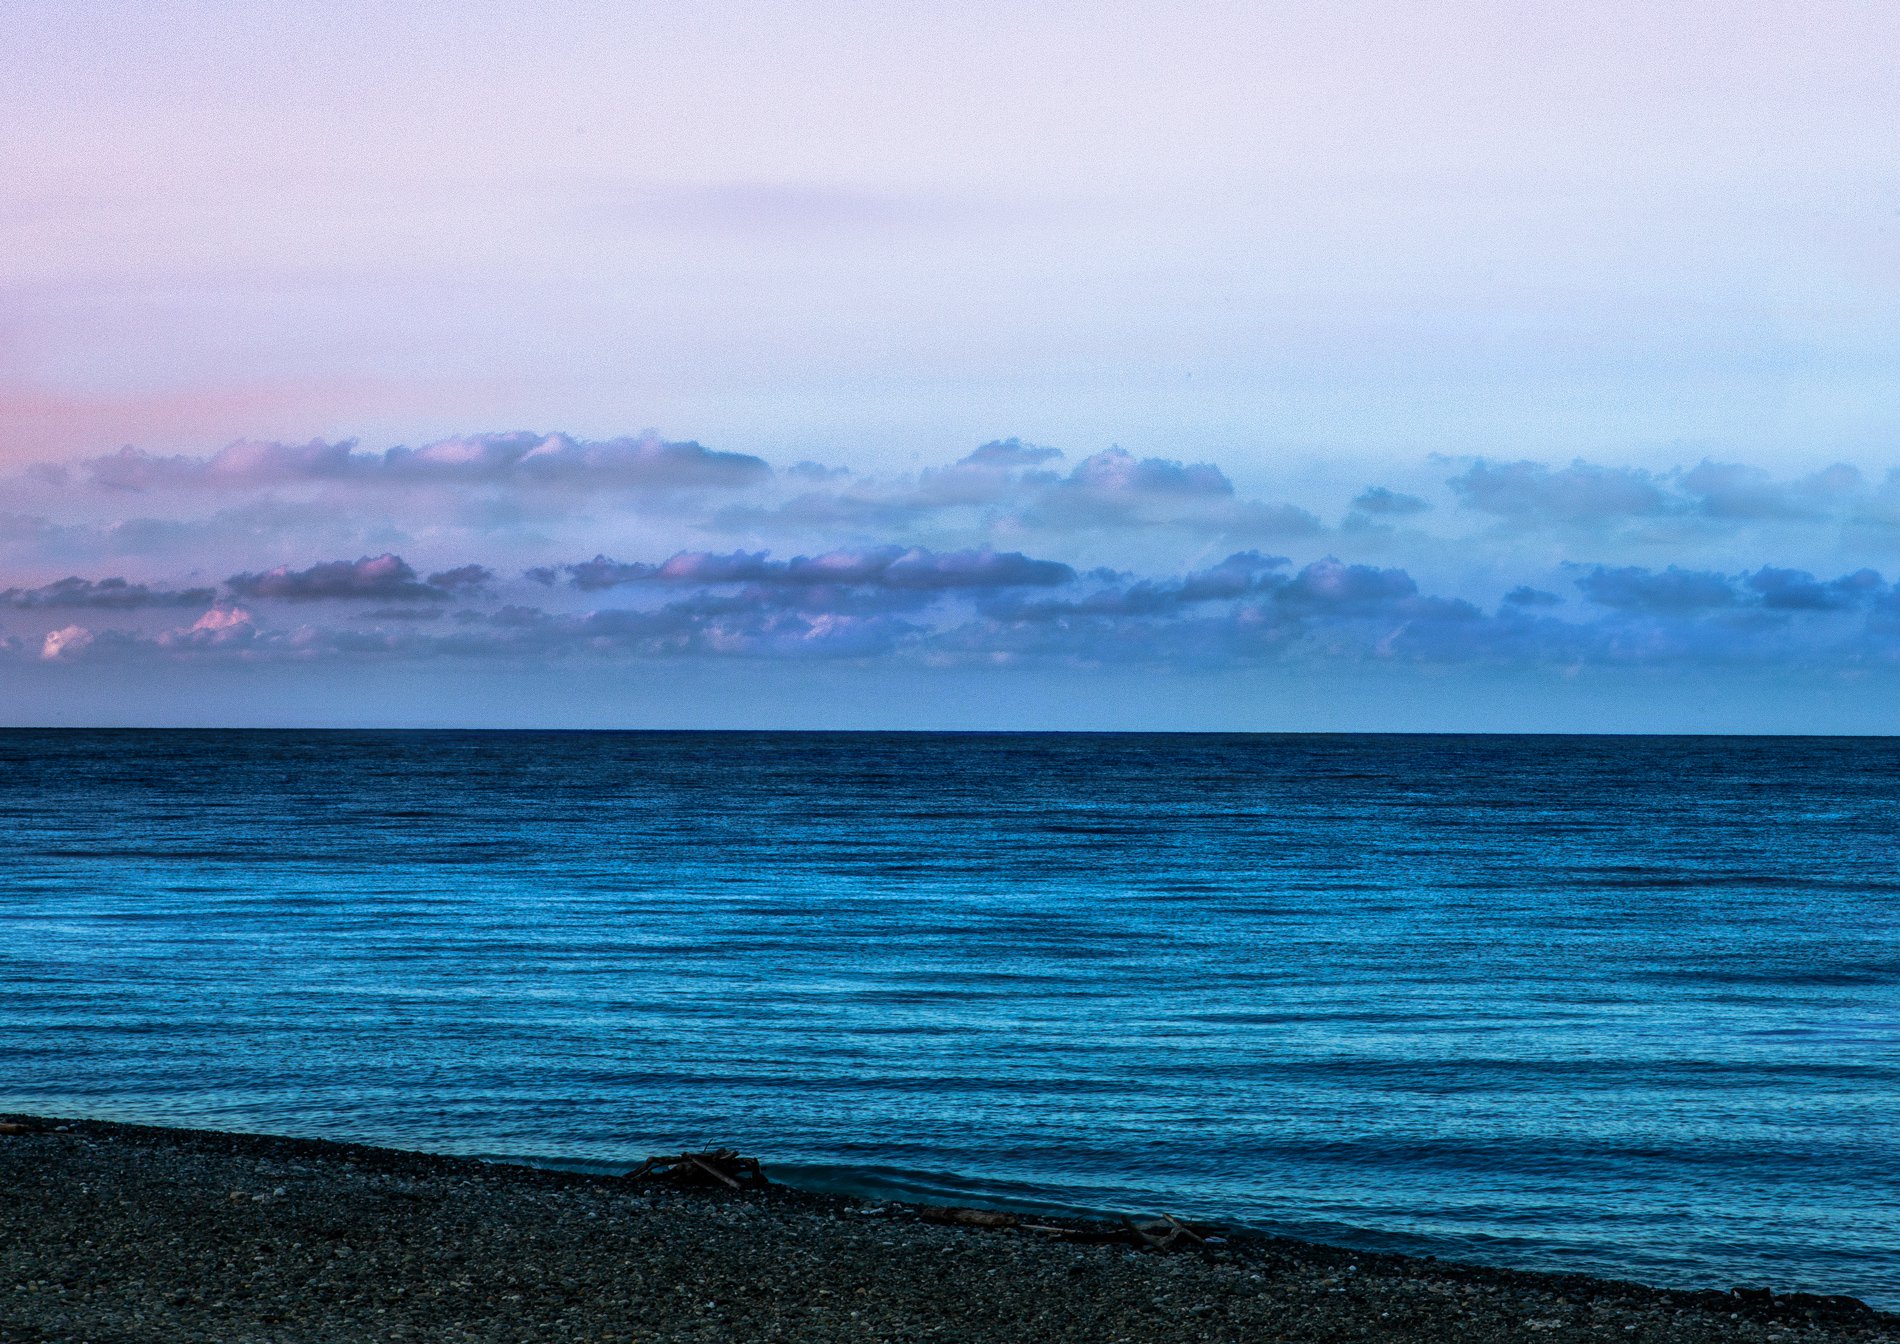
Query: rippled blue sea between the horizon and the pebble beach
{"type": "Point", "coordinates": [1610, 1005]}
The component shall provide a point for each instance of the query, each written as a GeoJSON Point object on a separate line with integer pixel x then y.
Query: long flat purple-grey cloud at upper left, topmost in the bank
{"type": "Point", "coordinates": [645, 463]}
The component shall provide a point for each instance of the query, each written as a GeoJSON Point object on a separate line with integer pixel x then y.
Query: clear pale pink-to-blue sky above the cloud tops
{"type": "Point", "coordinates": [867, 233]}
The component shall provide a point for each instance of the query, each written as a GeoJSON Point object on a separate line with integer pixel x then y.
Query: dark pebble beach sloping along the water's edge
{"type": "Point", "coordinates": [140, 1233]}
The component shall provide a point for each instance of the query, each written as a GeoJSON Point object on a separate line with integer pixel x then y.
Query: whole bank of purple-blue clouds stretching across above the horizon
{"type": "Point", "coordinates": [1006, 554]}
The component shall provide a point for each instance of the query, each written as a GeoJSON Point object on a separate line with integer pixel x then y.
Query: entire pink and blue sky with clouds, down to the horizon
{"type": "Point", "coordinates": [1040, 366]}
